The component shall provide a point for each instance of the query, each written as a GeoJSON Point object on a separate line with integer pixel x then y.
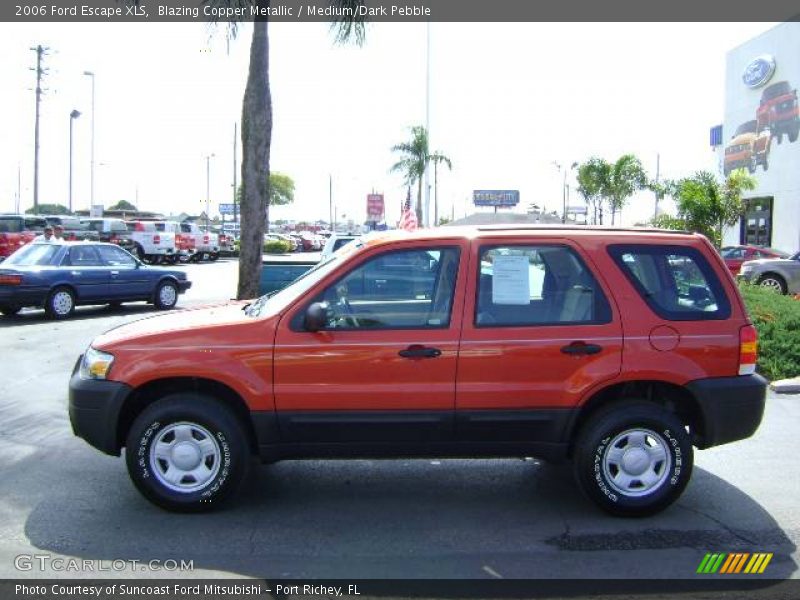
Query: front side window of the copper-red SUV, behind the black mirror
{"type": "Point", "coordinates": [396, 290]}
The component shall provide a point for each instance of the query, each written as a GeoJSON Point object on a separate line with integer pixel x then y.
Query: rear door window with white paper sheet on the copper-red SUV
{"type": "Point", "coordinates": [537, 285]}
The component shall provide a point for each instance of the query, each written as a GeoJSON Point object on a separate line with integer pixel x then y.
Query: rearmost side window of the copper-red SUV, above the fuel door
{"type": "Point", "coordinates": [677, 283]}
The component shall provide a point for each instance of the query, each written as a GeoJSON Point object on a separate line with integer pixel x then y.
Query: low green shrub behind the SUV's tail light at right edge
{"type": "Point", "coordinates": [777, 319]}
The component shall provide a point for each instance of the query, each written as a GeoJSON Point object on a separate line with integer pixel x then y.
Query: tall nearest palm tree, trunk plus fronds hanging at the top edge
{"type": "Point", "coordinates": [257, 129]}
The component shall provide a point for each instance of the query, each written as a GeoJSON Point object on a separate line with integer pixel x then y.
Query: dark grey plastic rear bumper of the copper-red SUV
{"type": "Point", "coordinates": [731, 407]}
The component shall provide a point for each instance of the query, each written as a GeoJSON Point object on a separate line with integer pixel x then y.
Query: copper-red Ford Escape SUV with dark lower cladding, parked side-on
{"type": "Point", "coordinates": [616, 349]}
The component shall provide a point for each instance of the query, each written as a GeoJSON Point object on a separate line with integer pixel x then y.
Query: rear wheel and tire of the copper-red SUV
{"type": "Point", "coordinates": [665, 444]}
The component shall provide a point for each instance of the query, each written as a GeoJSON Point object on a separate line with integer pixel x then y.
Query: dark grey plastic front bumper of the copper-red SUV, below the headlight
{"type": "Point", "coordinates": [94, 410]}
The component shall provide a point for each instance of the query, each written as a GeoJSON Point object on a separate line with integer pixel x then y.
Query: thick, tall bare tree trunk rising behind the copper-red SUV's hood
{"type": "Point", "coordinates": [256, 140]}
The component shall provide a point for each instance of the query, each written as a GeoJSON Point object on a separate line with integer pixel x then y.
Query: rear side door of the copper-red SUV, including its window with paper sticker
{"type": "Point", "coordinates": [538, 334]}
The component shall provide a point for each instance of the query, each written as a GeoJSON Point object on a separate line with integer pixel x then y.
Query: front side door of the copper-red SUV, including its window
{"type": "Point", "coordinates": [383, 368]}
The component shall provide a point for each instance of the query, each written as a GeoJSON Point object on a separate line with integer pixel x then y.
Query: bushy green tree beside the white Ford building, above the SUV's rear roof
{"type": "Point", "coordinates": [706, 205]}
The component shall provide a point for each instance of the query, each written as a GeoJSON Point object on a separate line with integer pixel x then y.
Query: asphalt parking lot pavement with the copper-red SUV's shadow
{"type": "Point", "coordinates": [358, 519]}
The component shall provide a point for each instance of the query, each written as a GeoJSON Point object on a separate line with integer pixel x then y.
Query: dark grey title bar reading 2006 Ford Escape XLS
{"type": "Point", "coordinates": [142, 11]}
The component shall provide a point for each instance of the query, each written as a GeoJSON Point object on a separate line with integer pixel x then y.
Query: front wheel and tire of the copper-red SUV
{"type": "Point", "coordinates": [214, 446]}
